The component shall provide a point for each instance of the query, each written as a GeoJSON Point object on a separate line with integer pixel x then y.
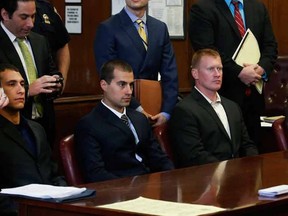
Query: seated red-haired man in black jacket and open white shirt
{"type": "Point", "coordinates": [206, 127]}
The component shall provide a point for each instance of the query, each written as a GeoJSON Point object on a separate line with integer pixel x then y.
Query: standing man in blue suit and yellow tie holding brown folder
{"type": "Point", "coordinates": [118, 38]}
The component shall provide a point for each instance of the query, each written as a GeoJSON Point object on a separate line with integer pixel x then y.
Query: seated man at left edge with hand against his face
{"type": "Point", "coordinates": [24, 151]}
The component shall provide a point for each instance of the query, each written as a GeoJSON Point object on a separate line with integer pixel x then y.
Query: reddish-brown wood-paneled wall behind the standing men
{"type": "Point", "coordinates": [83, 78]}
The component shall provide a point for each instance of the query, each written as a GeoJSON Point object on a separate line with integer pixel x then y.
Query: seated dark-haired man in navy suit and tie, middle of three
{"type": "Point", "coordinates": [109, 147]}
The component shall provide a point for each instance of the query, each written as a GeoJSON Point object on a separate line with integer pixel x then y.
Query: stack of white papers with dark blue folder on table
{"type": "Point", "coordinates": [48, 192]}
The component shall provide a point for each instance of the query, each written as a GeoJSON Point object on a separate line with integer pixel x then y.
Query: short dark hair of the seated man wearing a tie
{"type": "Point", "coordinates": [107, 70]}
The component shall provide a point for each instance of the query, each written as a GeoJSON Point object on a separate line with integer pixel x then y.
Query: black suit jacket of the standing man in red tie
{"type": "Point", "coordinates": [212, 26]}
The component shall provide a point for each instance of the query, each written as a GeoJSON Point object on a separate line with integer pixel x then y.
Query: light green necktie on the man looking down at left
{"type": "Point", "coordinates": [31, 71]}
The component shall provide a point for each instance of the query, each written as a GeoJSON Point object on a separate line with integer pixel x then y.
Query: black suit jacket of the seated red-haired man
{"type": "Point", "coordinates": [199, 137]}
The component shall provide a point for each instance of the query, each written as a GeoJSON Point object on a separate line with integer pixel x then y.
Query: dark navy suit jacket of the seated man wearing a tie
{"type": "Point", "coordinates": [106, 146]}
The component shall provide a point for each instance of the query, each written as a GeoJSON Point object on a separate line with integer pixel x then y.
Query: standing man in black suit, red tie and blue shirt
{"type": "Point", "coordinates": [212, 25]}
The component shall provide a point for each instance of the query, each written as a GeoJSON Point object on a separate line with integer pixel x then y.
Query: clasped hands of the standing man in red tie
{"type": "Point", "coordinates": [251, 74]}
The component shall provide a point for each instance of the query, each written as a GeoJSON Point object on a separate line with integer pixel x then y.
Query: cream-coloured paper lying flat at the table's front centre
{"type": "Point", "coordinates": [162, 208]}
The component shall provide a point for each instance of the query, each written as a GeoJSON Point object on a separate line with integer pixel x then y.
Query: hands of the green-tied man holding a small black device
{"type": "Point", "coordinates": [45, 84]}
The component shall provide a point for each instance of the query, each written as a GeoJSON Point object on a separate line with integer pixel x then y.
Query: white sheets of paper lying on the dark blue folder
{"type": "Point", "coordinates": [43, 191]}
